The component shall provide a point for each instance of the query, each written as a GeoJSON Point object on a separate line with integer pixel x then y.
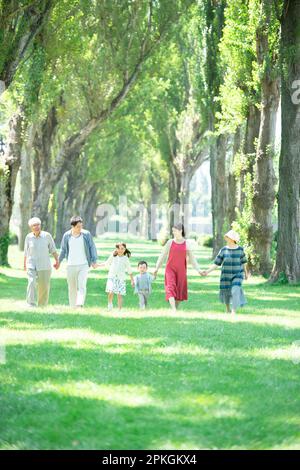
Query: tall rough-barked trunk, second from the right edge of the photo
{"type": "Point", "coordinates": [261, 229]}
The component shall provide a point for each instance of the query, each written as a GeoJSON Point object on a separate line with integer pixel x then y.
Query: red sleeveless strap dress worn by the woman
{"type": "Point", "coordinates": [175, 274]}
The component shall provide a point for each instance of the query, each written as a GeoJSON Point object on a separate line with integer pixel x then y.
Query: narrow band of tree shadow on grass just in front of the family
{"type": "Point", "coordinates": [180, 329]}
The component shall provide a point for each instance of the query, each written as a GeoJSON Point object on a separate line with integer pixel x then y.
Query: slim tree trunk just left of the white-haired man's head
{"type": "Point", "coordinates": [26, 188]}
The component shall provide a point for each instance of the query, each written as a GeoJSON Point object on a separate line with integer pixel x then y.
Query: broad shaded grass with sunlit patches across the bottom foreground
{"type": "Point", "coordinates": [101, 397]}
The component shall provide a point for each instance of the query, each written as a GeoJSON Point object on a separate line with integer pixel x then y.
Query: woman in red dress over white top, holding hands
{"type": "Point", "coordinates": [176, 251]}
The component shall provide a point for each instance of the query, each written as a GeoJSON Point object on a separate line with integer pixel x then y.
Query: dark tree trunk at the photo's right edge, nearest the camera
{"type": "Point", "coordinates": [288, 250]}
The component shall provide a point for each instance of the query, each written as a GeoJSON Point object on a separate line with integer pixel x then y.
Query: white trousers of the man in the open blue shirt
{"type": "Point", "coordinates": [77, 279]}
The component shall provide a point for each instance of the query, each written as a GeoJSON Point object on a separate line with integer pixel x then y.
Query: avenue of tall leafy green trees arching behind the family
{"type": "Point", "coordinates": [109, 97]}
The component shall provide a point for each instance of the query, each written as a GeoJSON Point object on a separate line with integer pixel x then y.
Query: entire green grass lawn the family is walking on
{"type": "Point", "coordinates": [93, 379]}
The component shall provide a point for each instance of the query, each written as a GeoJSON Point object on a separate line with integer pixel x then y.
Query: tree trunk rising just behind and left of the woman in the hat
{"type": "Point", "coordinates": [219, 190]}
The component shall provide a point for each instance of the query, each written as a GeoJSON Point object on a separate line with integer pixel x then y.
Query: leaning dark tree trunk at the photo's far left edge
{"type": "Point", "coordinates": [8, 176]}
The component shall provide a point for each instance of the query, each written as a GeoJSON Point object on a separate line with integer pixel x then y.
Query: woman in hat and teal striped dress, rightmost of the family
{"type": "Point", "coordinates": [234, 269]}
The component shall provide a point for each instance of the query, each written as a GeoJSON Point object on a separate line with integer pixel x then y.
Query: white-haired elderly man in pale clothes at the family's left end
{"type": "Point", "coordinates": [38, 247]}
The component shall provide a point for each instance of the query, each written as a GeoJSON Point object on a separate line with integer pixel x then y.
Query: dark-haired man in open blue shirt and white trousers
{"type": "Point", "coordinates": [79, 249]}
